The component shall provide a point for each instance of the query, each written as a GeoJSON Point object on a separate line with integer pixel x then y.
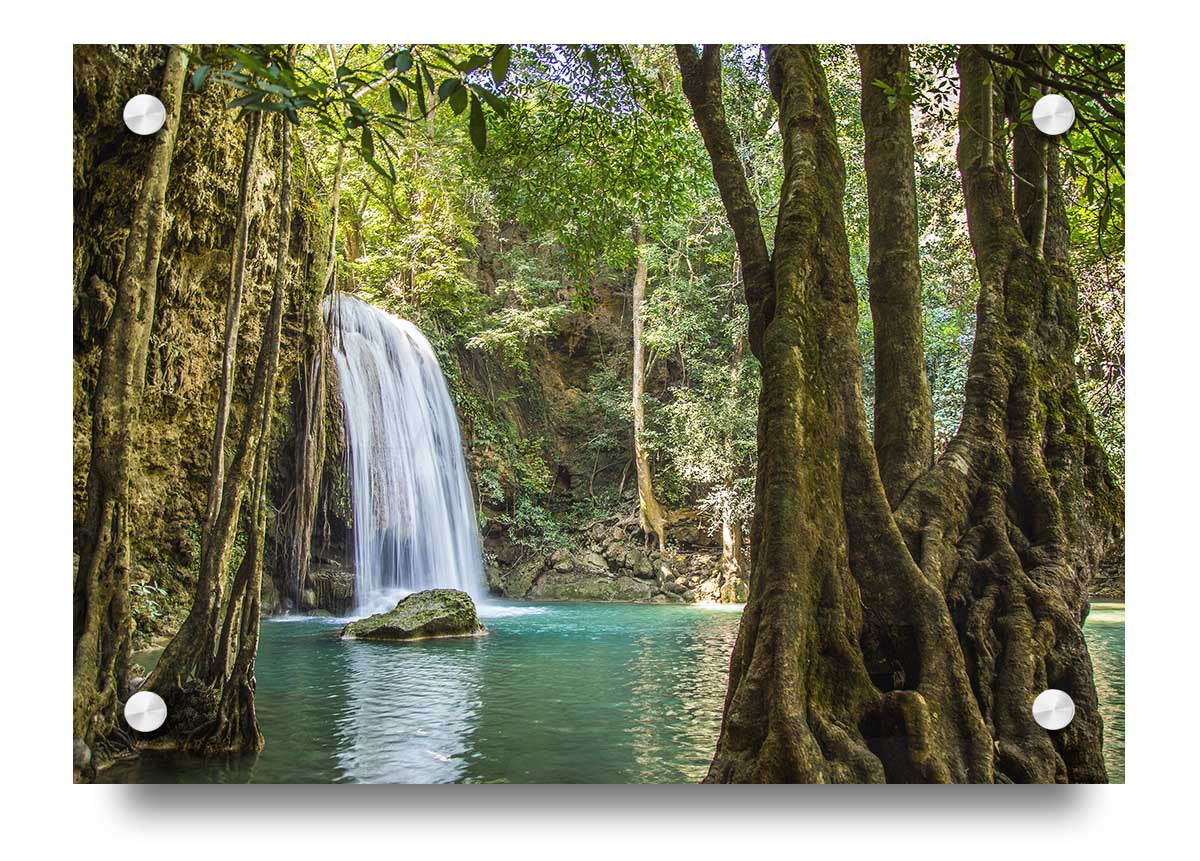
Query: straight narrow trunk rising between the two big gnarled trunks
{"type": "Point", "coordinates": [904, 407]}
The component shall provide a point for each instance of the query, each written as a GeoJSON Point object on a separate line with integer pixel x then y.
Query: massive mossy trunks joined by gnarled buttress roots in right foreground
{"type": "Point", "coordinates": [908, 646]}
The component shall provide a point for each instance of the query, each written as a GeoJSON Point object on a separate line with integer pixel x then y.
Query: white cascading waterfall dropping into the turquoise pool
{"type": "Point", "coordinates": [415, 521]}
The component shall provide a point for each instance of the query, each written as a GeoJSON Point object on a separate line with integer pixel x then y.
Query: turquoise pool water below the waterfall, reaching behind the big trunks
{"type": "Point", "coordinates": [557, 694]}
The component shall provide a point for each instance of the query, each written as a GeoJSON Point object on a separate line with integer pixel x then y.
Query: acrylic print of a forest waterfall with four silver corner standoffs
{"type": "Point", "coordinates": [544, 413]}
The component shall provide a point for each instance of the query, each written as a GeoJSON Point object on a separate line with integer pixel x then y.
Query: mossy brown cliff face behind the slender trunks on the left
{"type": "Point", "coordinates": [175, 429]}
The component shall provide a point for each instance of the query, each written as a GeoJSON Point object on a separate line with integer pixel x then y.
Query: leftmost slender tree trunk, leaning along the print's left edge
{"type": "Point", "coordinates": [103, 625]}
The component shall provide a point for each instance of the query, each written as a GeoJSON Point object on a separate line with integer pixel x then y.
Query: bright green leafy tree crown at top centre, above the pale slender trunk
{"type": "Point", "coordinates": [598, 139]}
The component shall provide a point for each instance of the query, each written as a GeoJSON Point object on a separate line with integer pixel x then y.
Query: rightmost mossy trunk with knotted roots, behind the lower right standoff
{"type": "Point", "coordinates": [1018, 515]}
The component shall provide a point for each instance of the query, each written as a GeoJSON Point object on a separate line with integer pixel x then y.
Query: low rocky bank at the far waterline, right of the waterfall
{"type": "Point", "coordinates": [607, 562]}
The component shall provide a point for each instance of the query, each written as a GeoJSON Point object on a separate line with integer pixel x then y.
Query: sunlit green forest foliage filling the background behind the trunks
{"type": "Point", "coordinates": [585, 142]}
